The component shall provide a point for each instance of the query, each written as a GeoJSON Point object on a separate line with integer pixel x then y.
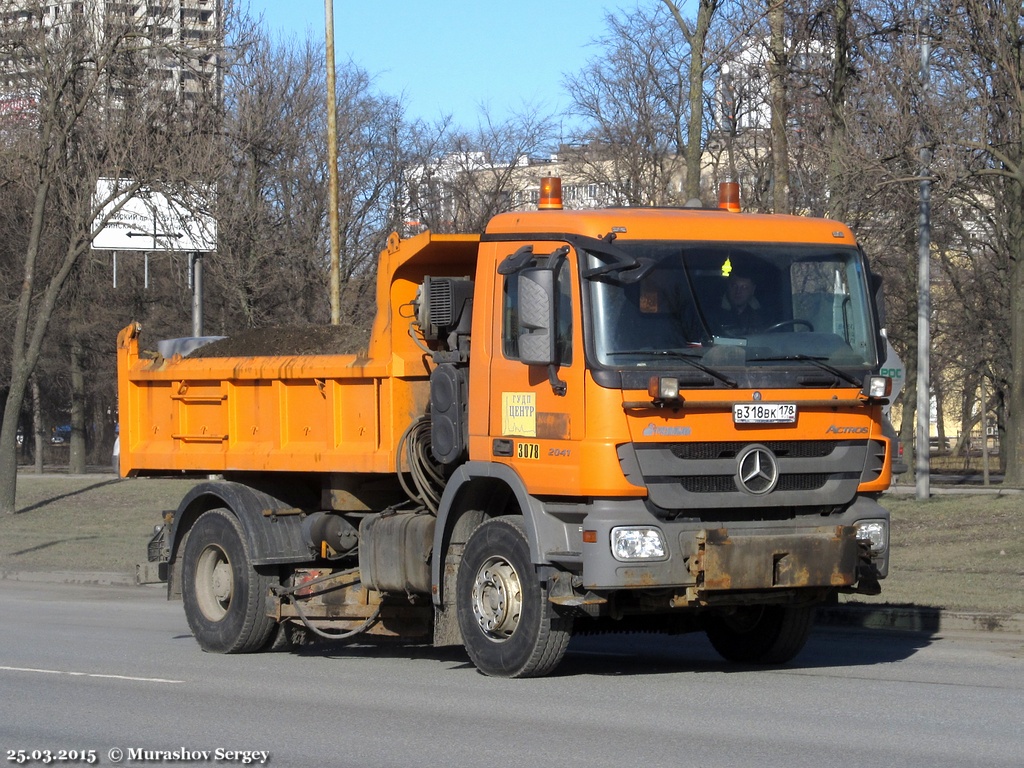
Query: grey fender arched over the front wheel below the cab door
{"type": "Point", "coordinates": [546, 534]}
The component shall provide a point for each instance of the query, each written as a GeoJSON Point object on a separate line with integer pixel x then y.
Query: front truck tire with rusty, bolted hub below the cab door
{"type": "Point", "coordinates": [508, 626]}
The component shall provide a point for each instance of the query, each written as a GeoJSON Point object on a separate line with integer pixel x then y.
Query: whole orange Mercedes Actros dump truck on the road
{"type": "Point", "coordinates": [581, 421]}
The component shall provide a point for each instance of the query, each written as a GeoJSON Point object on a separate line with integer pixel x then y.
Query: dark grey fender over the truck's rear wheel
{"type": "Point", "coordinates": [273, 529]}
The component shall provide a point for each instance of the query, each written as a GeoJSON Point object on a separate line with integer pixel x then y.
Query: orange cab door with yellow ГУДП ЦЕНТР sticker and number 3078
{"type": "Point", "coordinates": [535, 428]}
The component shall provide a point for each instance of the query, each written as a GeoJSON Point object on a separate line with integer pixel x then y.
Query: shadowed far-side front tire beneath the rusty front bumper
{"type": "Point", "coordinates": [771, 634]}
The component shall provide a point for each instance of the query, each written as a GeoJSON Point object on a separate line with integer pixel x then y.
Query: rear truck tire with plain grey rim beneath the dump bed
{"type": "Point", "coordinates": [225, 595]}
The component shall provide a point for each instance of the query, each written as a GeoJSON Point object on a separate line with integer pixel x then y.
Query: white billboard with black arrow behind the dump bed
{"type": "Point", "coordinates": [151, 221]}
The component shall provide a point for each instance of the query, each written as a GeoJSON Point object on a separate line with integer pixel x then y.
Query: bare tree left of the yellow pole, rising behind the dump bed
{"type": "Point", "coordinates": [270, 266]}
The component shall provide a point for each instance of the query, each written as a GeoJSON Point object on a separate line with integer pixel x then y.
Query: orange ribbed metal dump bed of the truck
{"type": "Point", "coordinates": [289, 413]}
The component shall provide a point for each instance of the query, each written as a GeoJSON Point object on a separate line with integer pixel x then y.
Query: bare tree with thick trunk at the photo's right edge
{"type": "Point", "coordinates": [982, 67]}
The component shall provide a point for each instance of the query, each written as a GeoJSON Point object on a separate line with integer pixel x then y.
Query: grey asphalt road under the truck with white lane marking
{"type": "Point", "coordinates": [114, 668]}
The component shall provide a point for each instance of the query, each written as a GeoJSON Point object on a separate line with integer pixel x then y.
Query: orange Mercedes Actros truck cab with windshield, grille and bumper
{"type": "Point", "coordinates": [677, 466]}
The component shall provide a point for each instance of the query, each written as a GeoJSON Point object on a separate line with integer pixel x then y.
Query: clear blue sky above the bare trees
{"type": "Point", "coordinates": [452, 56]}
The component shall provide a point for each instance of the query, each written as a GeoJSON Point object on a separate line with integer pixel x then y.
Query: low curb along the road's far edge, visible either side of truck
{"type": "Point", "coordinates": [850, 616]}
